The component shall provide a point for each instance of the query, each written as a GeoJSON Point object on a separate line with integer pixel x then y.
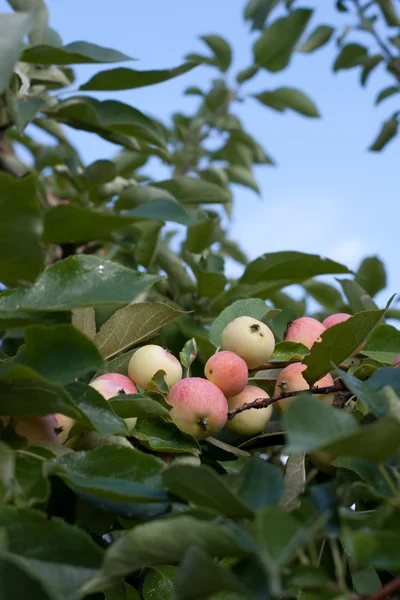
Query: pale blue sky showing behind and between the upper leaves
{"type": "Point", "coordinates": [329, 195]}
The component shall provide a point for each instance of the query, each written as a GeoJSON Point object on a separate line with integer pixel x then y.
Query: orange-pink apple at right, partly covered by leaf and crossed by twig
{"type": "Point", "coordinates": [291, 380]}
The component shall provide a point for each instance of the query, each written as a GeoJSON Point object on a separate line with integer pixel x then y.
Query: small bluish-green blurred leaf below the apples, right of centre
{"type": "Point", "coordinates": [262, 484]}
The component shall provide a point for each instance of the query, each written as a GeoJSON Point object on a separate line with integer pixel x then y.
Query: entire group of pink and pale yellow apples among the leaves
{"type": "Point", "coordinates": [200, 406]}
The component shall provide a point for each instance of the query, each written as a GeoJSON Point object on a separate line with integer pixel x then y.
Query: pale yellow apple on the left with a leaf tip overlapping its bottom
{"type": "Point", "coordinates": [147, 360]}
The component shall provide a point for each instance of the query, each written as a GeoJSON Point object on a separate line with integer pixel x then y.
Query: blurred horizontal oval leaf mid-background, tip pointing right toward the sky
{"type": "Point", "coordinates": [189, 190]}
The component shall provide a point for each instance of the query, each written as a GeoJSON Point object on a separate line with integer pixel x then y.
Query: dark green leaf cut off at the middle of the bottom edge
{"type": "Point", "coordinates": [198, 576]}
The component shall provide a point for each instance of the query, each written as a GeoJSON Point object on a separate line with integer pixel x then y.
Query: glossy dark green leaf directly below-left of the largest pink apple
{"type": "Point", "coordinates": [164, 436]}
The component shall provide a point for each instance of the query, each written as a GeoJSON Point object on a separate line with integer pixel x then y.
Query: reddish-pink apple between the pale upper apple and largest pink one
{"type": "Point", "coordinates": [228, 371]}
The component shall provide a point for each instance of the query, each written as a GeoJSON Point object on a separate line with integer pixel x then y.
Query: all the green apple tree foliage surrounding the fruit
{"type": "Point", "coordinates": [92, 268]}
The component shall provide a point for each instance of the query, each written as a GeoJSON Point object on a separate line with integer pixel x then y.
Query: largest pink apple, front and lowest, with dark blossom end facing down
{"type": "Point", "coordinates": [198, 407]}
